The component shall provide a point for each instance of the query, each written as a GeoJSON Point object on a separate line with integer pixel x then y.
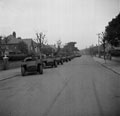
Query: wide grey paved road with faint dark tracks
{"type": "Point", "coordinates": [81, 87]}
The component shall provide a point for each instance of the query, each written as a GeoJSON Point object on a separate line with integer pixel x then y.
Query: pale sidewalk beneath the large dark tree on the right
{"type": "Point", "coordinates": [113, 65]}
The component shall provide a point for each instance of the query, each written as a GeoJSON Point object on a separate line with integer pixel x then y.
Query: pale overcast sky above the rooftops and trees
{"type": "Point", "coordinates": [68, 20]}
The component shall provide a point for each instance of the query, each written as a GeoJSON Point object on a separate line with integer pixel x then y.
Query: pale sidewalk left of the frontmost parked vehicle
{"type": "Point", "coordinates": [9, 73]}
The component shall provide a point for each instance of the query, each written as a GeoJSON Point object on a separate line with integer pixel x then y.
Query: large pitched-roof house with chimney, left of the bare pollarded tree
{"type": "Point", "coordinates": [11, 42]}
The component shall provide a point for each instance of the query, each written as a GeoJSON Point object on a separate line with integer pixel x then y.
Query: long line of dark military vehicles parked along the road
{"type": "Point", "coordinates": [37, 64]}
